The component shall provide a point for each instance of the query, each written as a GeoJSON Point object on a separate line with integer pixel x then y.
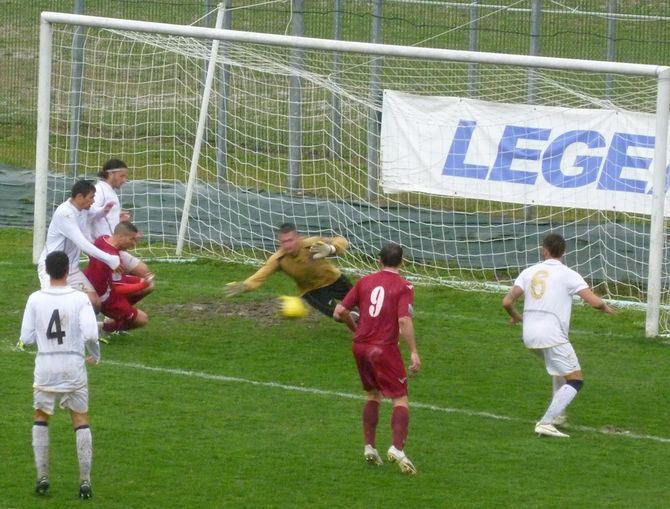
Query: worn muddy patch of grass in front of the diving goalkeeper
{"type": "Point", "coordinates": [264, 312]}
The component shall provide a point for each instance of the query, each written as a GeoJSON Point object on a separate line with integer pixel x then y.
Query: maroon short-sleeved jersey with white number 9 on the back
{"type": "Point", "coordinates": [382, 298]}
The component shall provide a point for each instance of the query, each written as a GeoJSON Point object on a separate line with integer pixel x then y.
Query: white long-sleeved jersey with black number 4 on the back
{"type": "Point", "coordinates": [62, 322]}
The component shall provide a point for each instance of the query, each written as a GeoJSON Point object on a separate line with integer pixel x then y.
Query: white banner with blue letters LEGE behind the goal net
{"type": "Point", "coordinates": [517, 153]}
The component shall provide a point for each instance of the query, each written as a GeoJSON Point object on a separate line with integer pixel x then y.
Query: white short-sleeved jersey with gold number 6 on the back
{"type": "Point", "coordinates": [548, 290]}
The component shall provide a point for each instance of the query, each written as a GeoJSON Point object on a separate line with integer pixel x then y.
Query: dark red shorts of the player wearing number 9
{"type": "Point", "coordinates": [381, 367]}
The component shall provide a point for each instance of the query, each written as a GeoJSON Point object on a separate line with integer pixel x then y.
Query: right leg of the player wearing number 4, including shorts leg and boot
{"type": "Point", "coordinates": [77, 404]}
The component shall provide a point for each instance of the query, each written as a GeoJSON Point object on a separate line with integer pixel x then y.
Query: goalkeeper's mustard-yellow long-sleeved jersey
{"type": "Point", "coordinates": [309, 274]}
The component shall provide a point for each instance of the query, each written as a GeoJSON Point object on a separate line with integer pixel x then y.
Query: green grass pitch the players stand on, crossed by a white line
{"type": "Point", "coordinates": [220, 403]}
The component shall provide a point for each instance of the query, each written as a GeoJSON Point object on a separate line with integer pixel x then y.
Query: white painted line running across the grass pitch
{"type": "Point", "coordinates": [345, 395]}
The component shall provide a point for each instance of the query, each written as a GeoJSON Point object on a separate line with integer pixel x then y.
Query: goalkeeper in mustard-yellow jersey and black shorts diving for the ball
{"type": "Point", "coordinates": [305, 259]}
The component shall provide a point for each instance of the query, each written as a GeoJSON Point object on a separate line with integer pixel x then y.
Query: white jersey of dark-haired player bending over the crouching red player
{"type": "Point", "coordinates": [66, 233]}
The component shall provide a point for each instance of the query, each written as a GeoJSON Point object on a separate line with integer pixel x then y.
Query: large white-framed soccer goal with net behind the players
{"type": "Point", "coordinates": [466, 159]}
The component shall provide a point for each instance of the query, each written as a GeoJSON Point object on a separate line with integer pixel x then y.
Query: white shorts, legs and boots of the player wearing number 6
{"type": "Point", "coordinates": [560, 361]}
